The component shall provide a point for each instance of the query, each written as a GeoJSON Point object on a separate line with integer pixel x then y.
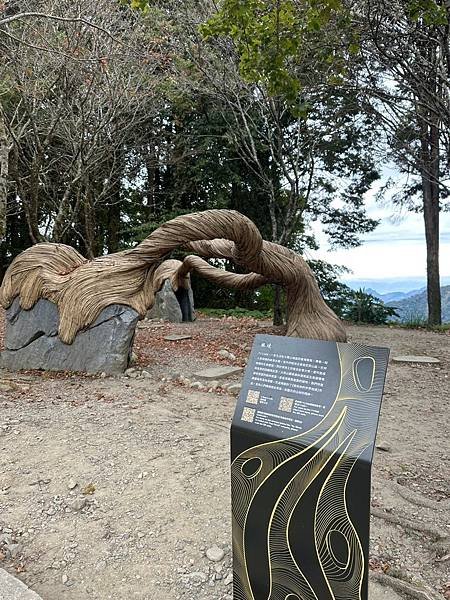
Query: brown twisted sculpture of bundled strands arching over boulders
{"type": "Point", "coordinates": [82, 289]}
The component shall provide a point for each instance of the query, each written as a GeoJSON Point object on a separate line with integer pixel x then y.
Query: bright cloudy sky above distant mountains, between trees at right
{"type": "Point", "coordinates": [396, 249]}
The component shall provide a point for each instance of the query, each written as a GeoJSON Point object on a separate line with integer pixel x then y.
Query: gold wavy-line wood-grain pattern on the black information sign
{"type": "Point", "coordinates": [327, 455]}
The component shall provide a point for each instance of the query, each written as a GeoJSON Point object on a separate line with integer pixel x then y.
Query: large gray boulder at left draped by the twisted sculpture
{"type": "Point", "coordinates": [32, 342]}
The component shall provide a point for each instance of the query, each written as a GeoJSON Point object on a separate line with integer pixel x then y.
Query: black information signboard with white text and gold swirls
{"type": "Point", "coordinates": [303, 436]}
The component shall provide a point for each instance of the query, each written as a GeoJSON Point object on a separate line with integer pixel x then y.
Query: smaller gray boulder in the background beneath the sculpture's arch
{"type": "Point", "coordinates": [176, 307]}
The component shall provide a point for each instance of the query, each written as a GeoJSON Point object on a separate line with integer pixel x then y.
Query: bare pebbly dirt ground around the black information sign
{"type": "Point", "coordinates": [115, 488]}
